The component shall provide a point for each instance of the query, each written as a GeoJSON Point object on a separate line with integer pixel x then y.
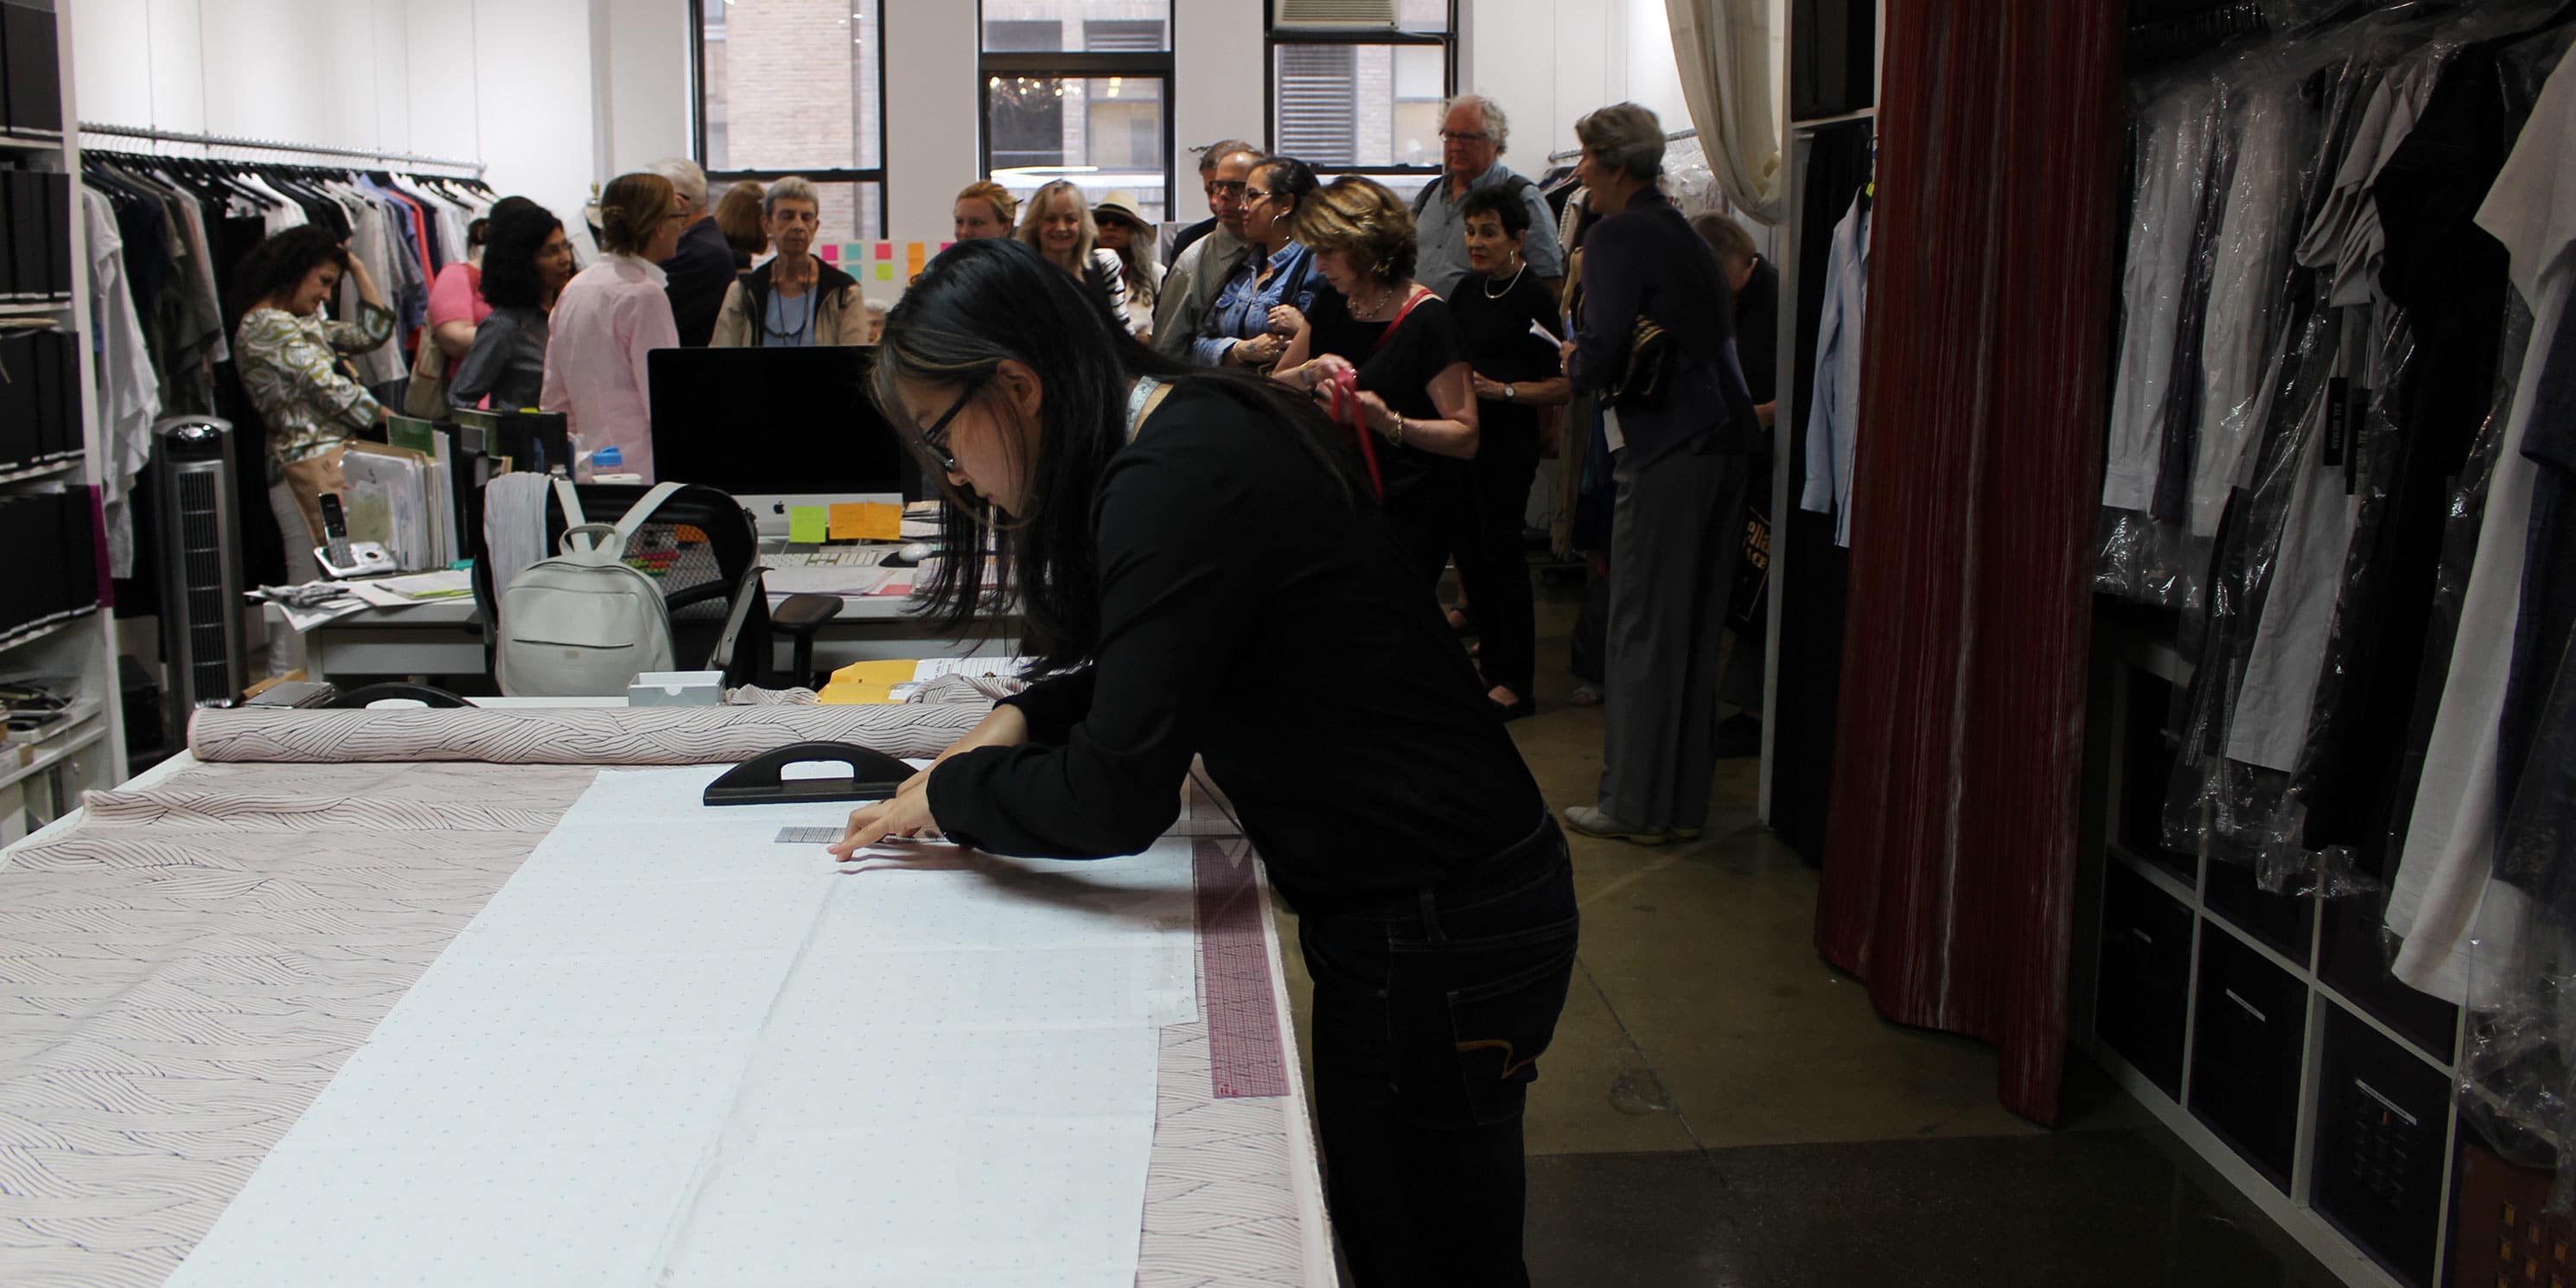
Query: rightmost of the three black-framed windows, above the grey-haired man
{"type": "Point", "coordinates": [1361, 99]}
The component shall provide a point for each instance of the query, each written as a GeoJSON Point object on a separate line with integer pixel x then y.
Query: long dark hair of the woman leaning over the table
{"type": "Point", "coordinates": [990, 300]}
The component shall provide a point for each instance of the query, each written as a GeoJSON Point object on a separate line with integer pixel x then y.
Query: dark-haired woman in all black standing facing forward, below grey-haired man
{"type": "Point", "coordinates": [1508, 321]}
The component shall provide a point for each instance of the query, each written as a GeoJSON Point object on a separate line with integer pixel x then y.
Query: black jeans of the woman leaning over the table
{"type": "Point", "coordinates": [1428, 1021]}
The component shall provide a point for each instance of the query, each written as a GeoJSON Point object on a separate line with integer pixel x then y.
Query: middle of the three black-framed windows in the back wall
{"type": "Point", "coordinates": [1083, 91]}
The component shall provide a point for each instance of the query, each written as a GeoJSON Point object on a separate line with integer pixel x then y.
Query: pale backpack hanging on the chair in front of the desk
{"type": "Point", "coordinates": [583, 625]}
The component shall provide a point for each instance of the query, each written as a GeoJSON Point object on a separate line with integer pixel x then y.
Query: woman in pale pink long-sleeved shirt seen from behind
{"type": "Point", "coordinates": [609, 318]}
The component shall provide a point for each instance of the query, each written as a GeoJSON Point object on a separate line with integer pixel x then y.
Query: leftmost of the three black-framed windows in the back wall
{"type": "Point", "coordinates": [797, 89]}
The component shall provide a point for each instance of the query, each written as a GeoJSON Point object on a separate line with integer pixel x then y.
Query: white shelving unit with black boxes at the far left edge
{"type": "Point", "coordinates": [50, 777]}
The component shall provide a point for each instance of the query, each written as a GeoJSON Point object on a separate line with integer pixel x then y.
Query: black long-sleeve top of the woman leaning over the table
{"type": "Point", "coordinates": [1256, 617]}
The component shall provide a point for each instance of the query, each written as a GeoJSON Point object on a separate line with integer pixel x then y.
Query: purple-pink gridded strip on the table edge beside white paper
{"type": "Point", "coordinates": [1245, 1055]}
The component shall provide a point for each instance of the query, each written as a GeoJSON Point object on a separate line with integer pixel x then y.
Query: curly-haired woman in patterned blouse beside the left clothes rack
{"type": "Point", "coordinates": [290, 362]}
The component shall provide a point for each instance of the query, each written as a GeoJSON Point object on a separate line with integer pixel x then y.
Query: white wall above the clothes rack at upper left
{"type": "Point", "coordinates": [496, 81]}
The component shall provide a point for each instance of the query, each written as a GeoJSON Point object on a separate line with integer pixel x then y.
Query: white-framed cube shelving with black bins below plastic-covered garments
{"type": "Point", "coordinates": [2263, 1029]}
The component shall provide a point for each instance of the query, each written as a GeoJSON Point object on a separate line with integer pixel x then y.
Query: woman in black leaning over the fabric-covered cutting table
{"type": "Point", "coordinates": [1184, 540]}
